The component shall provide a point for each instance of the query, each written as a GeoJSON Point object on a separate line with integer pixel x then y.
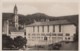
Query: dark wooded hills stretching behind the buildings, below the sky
{"type": "Point", "coordinates": [28, 19]}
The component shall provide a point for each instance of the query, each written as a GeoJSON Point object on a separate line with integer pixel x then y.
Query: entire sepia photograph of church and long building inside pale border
{"type": "Point", "coordinates": [40, 26]}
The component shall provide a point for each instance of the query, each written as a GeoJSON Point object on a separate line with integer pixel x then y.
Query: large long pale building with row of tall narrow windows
{"type": "Point", "coordinates": [41, 33]}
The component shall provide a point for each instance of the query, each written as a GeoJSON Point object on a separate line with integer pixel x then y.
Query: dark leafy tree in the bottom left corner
{"type": "Point", "coordinates": [7, 42]}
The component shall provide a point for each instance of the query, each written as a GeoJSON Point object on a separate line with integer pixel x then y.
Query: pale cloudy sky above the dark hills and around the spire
{"type": "Point", "coordinates": [51, 9]}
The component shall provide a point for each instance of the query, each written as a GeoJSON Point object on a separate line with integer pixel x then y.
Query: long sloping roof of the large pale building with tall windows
{"type": "Point", "coordinates": [57, 22]}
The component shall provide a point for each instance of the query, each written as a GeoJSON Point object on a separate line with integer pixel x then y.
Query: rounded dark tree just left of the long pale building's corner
{"type": "Point", "coordinates": [19, 42]}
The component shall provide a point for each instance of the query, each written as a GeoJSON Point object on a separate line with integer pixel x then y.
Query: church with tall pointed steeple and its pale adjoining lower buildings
{"type": "Point", "coordinates": [13, 30]}
